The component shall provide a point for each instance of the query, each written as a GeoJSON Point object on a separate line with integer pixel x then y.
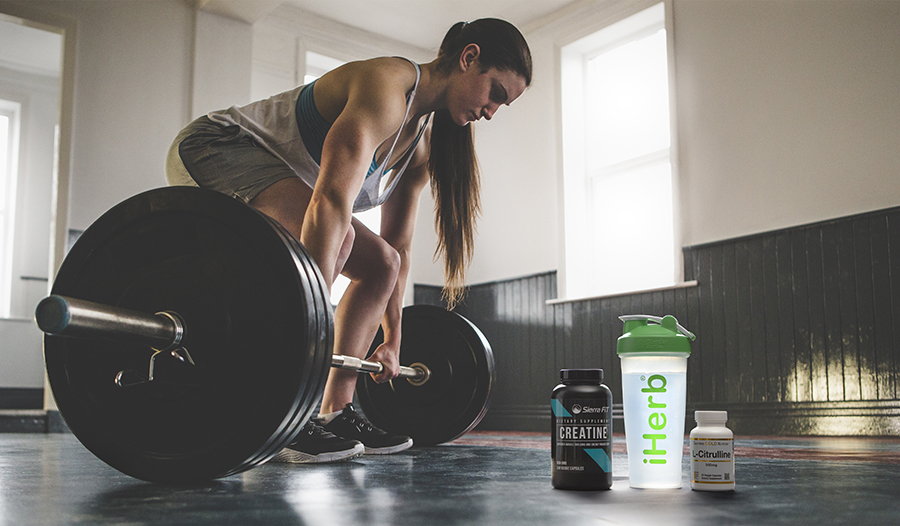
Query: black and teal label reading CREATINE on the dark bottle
{"type": "Point", "coordinates": [581, 436]}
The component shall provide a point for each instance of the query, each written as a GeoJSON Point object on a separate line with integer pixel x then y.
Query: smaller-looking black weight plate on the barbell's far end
{"type": "Point", "coordinates": [457, 395]}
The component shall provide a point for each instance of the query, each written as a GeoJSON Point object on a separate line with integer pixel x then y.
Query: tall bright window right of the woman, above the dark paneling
{"type": "Point", "coordinates": [616, 159]}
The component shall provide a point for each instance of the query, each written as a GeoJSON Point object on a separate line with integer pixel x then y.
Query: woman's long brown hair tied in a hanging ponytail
{"type": "Point", "coordinates": [455, 179]}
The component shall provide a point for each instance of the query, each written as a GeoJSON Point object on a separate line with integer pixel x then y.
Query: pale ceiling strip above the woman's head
{"type": "Point", "coordinates": [421, 23]}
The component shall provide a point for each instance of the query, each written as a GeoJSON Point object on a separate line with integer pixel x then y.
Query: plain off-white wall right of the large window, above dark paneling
{"type": "Point", "coordinates": [788, 111]}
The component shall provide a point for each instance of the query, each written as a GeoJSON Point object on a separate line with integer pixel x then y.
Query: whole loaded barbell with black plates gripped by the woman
{"type": "Point", "coordinates": [188, 337]}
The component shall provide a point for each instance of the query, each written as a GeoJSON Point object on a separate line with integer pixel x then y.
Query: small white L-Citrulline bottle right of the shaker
{"type": "Point", "coordinates": [712, 452]}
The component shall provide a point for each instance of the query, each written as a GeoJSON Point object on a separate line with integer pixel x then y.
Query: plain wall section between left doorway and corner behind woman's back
{"type": "Point", "coordinates": [132, 95]}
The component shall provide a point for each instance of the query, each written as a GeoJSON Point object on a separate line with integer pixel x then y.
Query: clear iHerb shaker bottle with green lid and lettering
{"type": "Point", "coordinates": [654, 353]}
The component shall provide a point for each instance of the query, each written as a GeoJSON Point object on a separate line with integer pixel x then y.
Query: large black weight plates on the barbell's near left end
{"type": "Point", "coordinates": [250, 325]}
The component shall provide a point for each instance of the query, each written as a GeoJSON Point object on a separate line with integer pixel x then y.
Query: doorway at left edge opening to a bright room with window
{"type": "Point", "coordinates": [36, 84]}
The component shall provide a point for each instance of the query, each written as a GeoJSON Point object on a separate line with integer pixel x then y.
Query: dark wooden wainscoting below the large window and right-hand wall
{"type": "Point", "coordinates": [798, 331]}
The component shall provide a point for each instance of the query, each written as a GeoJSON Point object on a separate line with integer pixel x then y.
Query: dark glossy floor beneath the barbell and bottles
{"type": "Point", "coordinates": [483, 478]}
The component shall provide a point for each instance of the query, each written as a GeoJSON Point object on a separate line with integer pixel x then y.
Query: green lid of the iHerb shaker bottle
{"type": "Point", "coordinates": [664, 335]}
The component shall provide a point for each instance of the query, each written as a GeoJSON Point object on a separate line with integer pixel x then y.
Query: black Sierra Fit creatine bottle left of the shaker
{"type": "Point", "coordinates": [581, 408]}
